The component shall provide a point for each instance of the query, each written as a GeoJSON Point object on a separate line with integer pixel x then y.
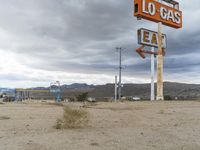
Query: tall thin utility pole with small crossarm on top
{"type": "Point", "coordinates": [120, 72]}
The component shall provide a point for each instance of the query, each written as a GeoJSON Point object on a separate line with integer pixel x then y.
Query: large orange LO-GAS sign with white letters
{"type": "Point", "coordinates": [158, 12]}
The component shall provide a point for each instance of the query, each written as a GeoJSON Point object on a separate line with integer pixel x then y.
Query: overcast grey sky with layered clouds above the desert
{"type": "Point", "coordinates": [74, 41]}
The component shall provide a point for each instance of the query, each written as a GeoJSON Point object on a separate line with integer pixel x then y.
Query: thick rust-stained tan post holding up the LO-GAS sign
{"type": "Point", "coordinates": [160, 65]}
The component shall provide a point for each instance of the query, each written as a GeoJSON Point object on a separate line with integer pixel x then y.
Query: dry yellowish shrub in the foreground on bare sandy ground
{"type": "Point", "coordinates": [73, 118]}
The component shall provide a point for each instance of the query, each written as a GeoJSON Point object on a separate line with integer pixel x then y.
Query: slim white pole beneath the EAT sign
{"type": "Point", "coordinates": [152, 75]}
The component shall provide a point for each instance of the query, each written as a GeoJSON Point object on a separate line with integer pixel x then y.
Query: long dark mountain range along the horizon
{"type": "Point", "coordinates": [174, 90]}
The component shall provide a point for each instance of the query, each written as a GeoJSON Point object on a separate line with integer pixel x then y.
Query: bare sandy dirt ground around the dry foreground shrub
{"type": "Point", "coordinates": [112, 126]}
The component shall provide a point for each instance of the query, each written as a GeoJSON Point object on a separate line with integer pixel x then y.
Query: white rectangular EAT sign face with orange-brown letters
{"type": "Point", "coordinates": [150, 38]}
